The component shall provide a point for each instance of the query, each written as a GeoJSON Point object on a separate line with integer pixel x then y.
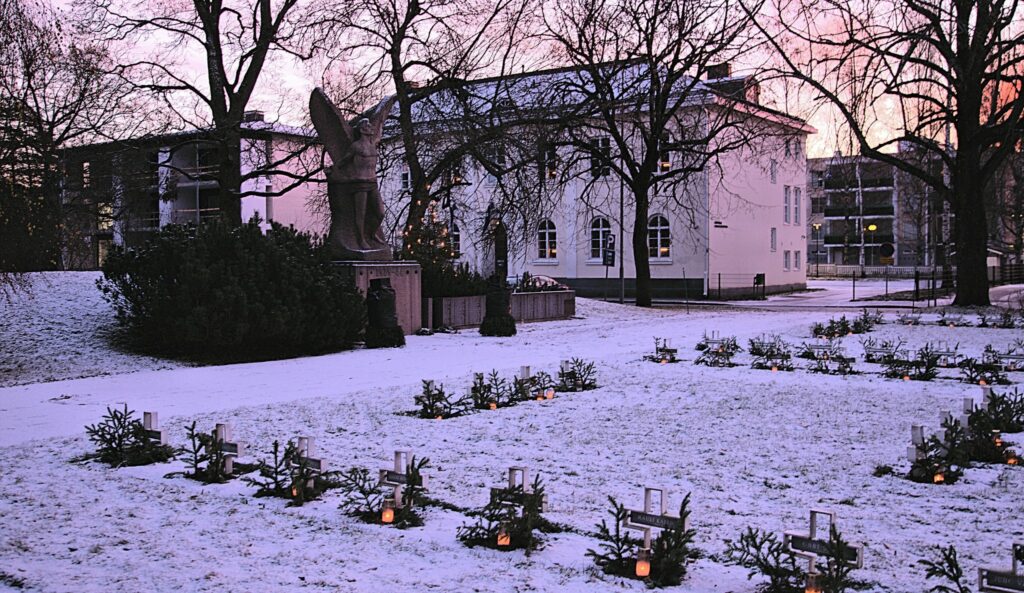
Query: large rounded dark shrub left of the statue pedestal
{"type": "Point", "coordinates": [217, 293]}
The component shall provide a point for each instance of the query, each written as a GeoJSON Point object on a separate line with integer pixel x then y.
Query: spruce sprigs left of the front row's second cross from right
{"type": "Point", "coordinates": [764, 555]}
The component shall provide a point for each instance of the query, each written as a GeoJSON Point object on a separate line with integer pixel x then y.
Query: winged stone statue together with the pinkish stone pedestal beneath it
{"type": "Point", "coordinates": [356, 238]}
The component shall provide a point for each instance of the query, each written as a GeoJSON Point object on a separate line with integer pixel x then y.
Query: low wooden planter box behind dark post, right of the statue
{"type": "Point", "coordinates": [468, 312]}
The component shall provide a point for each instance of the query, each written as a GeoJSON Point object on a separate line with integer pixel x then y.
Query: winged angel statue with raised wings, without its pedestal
{"type": "Point", "coordinates": [357, 209]}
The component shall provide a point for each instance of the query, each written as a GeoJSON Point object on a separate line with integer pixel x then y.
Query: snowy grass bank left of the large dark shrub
{"type": "Point", "coordinates": [56, 331]}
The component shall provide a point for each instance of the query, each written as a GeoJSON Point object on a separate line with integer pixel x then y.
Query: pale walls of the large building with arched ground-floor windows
{"type": "Point", "coordinates": [744, 217]}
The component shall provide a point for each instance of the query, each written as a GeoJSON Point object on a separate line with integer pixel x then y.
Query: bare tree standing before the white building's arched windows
{"type": "Point", "coordinates": [638, 80]}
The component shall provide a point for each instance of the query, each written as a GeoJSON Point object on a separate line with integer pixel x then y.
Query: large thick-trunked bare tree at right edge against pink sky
{"type": "Point", "coordinates": [940, 78]}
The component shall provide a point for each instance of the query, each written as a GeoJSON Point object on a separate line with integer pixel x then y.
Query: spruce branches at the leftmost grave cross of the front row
{"type": "Point", "coordinates": [122, 441]}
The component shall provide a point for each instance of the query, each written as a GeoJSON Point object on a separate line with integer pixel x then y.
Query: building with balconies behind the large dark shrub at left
{"type": "Point", "coordinates": [121, 193]}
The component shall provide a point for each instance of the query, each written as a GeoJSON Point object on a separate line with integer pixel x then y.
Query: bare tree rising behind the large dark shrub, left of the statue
{"type": "Point", "coordinates": [235, 40]}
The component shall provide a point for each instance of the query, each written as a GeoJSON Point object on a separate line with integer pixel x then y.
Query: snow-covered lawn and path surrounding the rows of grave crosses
{"type": "Point", "coordinates": [754, 448]}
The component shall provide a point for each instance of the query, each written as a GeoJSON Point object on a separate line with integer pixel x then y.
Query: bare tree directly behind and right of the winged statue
{"type": "Point", "coordinates": [428, 54]}
